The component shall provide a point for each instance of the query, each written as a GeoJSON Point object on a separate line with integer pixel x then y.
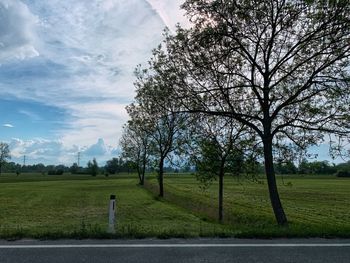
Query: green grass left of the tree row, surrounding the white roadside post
{"type": "Point", "coordinates": [70, 206]}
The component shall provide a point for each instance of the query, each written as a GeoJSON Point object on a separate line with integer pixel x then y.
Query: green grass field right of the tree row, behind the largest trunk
{"type": "Point", "coordinates": [316, 206]}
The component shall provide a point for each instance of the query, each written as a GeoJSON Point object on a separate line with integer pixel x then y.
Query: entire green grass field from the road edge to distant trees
{"type": "Point", "coordinates": [76, 206]}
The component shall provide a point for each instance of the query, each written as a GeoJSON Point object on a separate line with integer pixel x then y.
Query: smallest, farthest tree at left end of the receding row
{"type": "Point", "coordinates": [135, 144]}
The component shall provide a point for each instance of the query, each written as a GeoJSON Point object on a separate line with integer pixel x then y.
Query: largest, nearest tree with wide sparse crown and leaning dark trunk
{"type": "Point", "coordinates": [279, 67]}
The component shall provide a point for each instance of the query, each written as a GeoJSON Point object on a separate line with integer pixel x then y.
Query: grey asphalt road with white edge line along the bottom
{"type": "Point", "coordinates": [177, 250]}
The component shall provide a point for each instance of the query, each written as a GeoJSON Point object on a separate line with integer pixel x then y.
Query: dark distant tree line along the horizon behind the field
{"type": "Point", "coordinates": [119, 165]}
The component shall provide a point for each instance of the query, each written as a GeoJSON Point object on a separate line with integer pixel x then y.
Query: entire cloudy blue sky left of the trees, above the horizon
{"type": "Point", "coordinates": [66, 72]}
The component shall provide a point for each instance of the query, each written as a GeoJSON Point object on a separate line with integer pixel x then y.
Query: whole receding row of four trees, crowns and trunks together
{"type": "Point", "coordinates": [250, 80]}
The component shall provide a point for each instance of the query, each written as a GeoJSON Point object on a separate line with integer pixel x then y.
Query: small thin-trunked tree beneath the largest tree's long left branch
{"type": "Point", "coordinates": [220, 148]}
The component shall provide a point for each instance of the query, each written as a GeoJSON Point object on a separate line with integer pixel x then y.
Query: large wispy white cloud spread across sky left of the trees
{"type": "Point", "coordinates": [88, 52]}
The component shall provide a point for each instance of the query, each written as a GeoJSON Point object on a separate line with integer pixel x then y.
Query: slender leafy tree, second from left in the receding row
{"type": "Point", "coordinates": [156, 114]}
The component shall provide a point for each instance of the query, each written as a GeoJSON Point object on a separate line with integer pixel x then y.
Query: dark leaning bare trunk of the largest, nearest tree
{"type": "Point", "coordinates": [271, 180]}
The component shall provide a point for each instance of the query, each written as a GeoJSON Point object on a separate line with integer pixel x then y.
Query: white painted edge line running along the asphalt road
{"type": "Point", "coordinates": [173, 245]}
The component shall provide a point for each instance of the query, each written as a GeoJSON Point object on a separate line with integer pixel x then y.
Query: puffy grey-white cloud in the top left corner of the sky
{"type": "Point", "coordinates": [16, 31]}
